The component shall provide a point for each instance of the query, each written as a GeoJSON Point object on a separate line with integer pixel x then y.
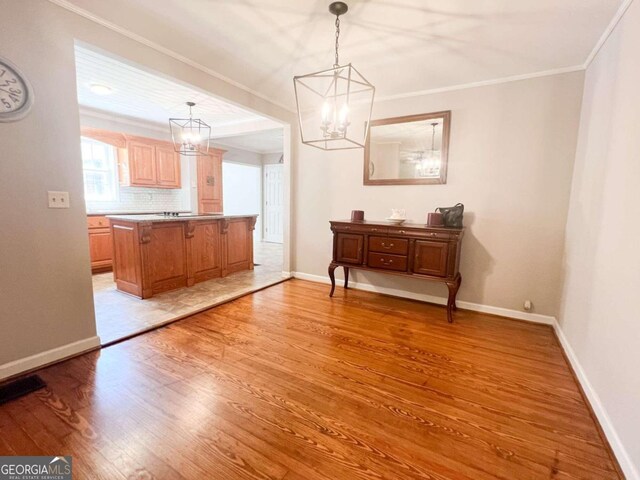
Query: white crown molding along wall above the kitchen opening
{"type": "Point", "coordinates": [166, 51]}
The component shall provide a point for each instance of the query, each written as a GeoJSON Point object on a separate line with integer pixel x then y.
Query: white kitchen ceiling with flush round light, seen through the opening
{"type": "Point", "coordinates": [144, 95]}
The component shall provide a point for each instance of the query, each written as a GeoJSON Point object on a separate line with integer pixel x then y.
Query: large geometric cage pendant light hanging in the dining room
{"type": "Point", "coordinates": [334, 105]}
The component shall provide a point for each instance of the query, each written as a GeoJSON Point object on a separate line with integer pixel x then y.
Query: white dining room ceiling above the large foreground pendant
{"type": "Point", "coordinates": [401, 46]}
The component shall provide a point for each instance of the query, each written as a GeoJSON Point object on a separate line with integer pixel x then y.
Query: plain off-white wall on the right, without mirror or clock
{"type": "Point", "coordinates": [599, 316]}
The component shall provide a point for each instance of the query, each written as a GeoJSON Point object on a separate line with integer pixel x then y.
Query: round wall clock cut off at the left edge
{"type": "Point", "coordinates": [16, 95]}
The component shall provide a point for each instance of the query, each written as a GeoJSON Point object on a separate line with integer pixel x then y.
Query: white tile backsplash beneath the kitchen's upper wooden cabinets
{"type": "Point", "coordinates": [142, 199]}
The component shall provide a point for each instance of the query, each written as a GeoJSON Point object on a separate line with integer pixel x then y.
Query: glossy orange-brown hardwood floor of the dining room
{"type": "Point", "coordinates": [289, 384]}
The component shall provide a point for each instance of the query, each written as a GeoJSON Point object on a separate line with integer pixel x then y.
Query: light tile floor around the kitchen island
{"type": "Point", "coordinates": [119, 315]}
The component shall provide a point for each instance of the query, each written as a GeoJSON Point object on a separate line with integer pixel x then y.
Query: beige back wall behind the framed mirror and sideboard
{"type": "Point", "coordinates": [511, 159]}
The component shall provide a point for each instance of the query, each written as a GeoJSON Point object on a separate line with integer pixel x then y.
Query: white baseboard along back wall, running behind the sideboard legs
{"type": "Point", "coordinates": [476, 307]}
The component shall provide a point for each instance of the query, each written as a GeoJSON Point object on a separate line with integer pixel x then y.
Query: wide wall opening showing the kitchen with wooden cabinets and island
{"type": "Point", "coordinates": [132, 171]}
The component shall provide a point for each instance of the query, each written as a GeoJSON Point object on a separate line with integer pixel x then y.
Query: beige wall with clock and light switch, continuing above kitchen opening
{"type": "Point", "coordinates": [45, 288]}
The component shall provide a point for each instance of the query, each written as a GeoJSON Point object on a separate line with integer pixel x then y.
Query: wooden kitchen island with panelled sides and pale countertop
{"type": "Point", "coordinates": [157, 253]}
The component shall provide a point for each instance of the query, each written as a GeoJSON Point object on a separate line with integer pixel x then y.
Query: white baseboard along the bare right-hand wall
{"type": "Point", "coordinates": [618, 448]}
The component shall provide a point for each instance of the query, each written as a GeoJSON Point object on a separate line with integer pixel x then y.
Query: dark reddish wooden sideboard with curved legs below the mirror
{"type": "Point", "coordinates": [410, 250]}
